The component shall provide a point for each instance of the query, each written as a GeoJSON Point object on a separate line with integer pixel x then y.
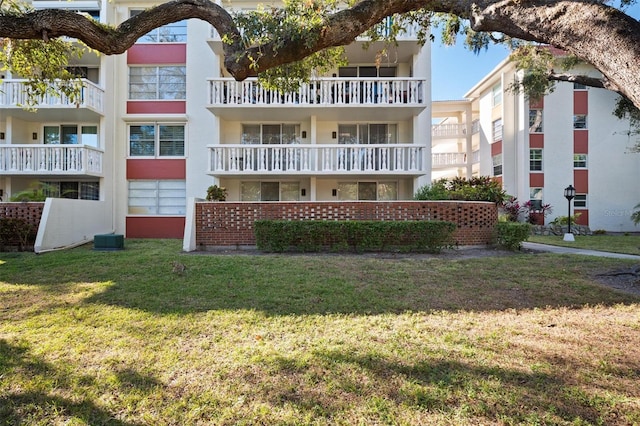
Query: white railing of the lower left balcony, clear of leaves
{"type": "Point", "coordinates": [50, 159]}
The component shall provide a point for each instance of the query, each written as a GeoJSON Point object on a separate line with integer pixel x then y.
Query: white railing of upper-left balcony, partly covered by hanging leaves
{"type": "Point", "coordinates": [13, 94]}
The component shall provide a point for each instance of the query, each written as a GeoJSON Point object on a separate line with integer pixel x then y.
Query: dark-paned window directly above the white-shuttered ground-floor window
{"type": "Point", "coordinates": [156, 140]}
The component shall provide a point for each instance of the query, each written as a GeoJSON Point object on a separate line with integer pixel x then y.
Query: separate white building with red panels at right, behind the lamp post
{"type": "Point", "coordinates": [537, 148]}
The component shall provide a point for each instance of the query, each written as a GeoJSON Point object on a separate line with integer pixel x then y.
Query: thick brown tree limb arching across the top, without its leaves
{"type": "Point", "coordinates": [590, 30]}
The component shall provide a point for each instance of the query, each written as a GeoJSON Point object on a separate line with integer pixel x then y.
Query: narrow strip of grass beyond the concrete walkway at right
{"type": "Point", "coordinates": [629, 244]}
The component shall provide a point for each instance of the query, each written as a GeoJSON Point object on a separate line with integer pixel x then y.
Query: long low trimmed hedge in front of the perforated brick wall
{"type": "Point", "coordinates": [358, 236]}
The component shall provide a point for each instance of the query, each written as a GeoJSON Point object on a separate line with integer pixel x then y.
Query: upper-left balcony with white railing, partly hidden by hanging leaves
{"type": "Point", "coordinates": [13, 95]}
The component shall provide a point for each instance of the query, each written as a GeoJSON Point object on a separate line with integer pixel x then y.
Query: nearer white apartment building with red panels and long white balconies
{"type": "Point", "coordinates": [161, 123]}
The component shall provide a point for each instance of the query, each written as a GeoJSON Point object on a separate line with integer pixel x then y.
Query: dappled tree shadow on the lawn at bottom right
{"type": "Point", "coordinates": [444, 386]}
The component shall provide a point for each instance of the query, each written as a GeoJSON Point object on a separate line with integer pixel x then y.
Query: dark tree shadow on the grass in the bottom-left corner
{"type": "Point", "coordinates": [37, 399]}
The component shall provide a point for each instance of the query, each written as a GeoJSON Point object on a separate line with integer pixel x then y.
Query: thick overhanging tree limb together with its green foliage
{"type": "Point", "coordinates": [301, 36]}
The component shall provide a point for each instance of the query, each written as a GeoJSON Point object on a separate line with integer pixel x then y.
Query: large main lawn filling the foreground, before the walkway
{"type": "Point", "coordinates": [89, 338]}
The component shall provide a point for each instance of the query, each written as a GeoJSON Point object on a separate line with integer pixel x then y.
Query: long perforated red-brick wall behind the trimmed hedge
{"type": "Point", "coordinates": [231, 223]}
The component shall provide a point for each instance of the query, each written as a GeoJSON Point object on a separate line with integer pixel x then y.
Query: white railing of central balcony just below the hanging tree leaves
{"type": "Point", "coordinates": [323, 91]}
